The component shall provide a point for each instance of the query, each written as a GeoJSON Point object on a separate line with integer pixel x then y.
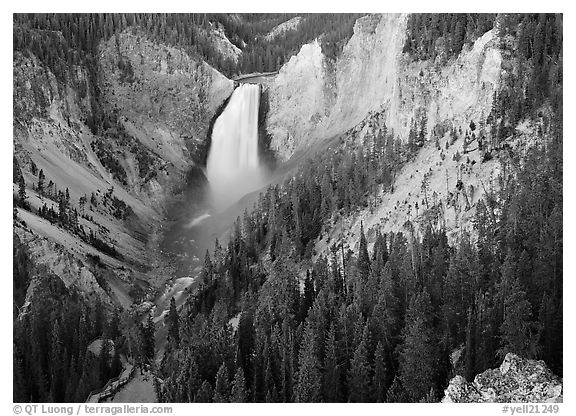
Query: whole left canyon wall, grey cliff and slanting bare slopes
{"type": "Point", "coordinates": [159, 102]}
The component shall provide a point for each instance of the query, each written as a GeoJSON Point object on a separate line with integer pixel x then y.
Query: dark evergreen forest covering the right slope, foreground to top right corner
{"type": "Point", "coordinates": [381, 325]}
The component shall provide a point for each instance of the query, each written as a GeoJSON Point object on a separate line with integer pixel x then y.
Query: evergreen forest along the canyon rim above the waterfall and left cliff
{"type": "Point", "coordinates": [63, 40]}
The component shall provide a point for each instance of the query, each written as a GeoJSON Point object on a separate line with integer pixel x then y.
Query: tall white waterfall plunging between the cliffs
{"type": "Point", "coordinates": [233, 167]}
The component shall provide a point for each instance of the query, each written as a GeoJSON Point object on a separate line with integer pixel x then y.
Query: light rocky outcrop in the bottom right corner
{"type": "Point", "coordinates": [517, 380]}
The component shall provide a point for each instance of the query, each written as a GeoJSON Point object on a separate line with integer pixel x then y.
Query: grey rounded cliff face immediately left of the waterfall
{"type": "Point", "coordinates": [166, 98]}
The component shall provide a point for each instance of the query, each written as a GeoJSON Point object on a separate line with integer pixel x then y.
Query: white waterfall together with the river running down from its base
{"type": "Point", "coordinates": [235, 175]}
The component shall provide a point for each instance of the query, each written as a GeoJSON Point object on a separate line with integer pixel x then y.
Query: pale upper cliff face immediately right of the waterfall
{"type": "Point", "coordinates": [372, 75]}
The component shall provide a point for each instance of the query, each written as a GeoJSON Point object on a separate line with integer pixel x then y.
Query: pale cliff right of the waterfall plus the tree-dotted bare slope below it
{"type": "Point", "coordinates": [373, 85]}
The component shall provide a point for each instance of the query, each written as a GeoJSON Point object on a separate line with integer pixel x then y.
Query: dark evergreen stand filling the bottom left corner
{"type": "Point", "coordinates": [51, 360]}
